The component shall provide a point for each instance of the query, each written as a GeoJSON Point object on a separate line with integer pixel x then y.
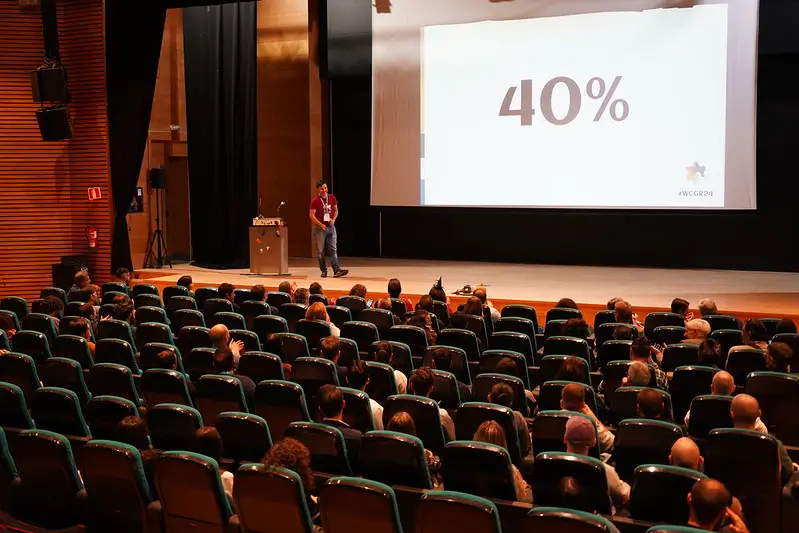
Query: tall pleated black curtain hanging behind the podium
{"type": "Point", "coordinates": [221, 67]}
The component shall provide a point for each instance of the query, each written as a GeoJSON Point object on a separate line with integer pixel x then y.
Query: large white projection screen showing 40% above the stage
{"type": "Point", "coordinates": [622, 104]}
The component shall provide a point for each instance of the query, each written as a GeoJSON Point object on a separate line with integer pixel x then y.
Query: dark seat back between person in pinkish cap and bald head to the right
{"type": "Point", "coordinates": [643, 441]}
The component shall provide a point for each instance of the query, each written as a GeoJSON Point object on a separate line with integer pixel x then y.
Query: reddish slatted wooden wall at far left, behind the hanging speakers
{"type": "Point", "coordinates": [44, 206]}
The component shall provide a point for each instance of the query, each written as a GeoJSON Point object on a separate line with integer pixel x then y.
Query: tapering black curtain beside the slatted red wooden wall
{"type": "Point", "coordinates": [133, 36]}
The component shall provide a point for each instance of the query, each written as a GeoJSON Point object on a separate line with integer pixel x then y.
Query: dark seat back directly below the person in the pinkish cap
{"type": "Point", "coordinates": [551, 467]}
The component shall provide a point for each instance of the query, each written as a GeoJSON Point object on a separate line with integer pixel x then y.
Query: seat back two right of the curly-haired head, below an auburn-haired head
{"type": "Point", "coordinates": [395, 459]}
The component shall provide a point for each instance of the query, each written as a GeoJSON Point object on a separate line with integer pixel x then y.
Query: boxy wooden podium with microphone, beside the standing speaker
{"type": "Point", "coordinates": [269, 247]}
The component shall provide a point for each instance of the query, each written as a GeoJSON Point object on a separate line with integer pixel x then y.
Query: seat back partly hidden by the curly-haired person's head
{"type": "Point", "coordinates": [326, 445]}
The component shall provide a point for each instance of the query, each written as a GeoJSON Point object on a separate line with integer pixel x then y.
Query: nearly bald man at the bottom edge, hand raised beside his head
{"type": "Point", "coordinates": [708, 502]}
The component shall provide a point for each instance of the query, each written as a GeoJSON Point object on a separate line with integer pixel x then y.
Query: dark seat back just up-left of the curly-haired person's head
{"type": "Point", "coordinates": [245, 437]}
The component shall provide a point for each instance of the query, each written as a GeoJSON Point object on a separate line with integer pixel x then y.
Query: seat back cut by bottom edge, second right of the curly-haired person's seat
{"type": "Point", "coordinates": [442, 510]}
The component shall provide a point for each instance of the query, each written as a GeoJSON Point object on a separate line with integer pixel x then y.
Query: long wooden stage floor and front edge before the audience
{"type": "Point", "coordinates": [744, 294]}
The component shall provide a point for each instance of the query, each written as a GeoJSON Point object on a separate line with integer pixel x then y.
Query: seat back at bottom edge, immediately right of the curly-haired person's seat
{"type": "Point", "coordinates": [375, 502]}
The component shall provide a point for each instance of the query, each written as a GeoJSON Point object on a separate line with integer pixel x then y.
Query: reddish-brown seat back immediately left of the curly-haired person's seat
{"type": "Point", "coordinates": [190, 491]}
